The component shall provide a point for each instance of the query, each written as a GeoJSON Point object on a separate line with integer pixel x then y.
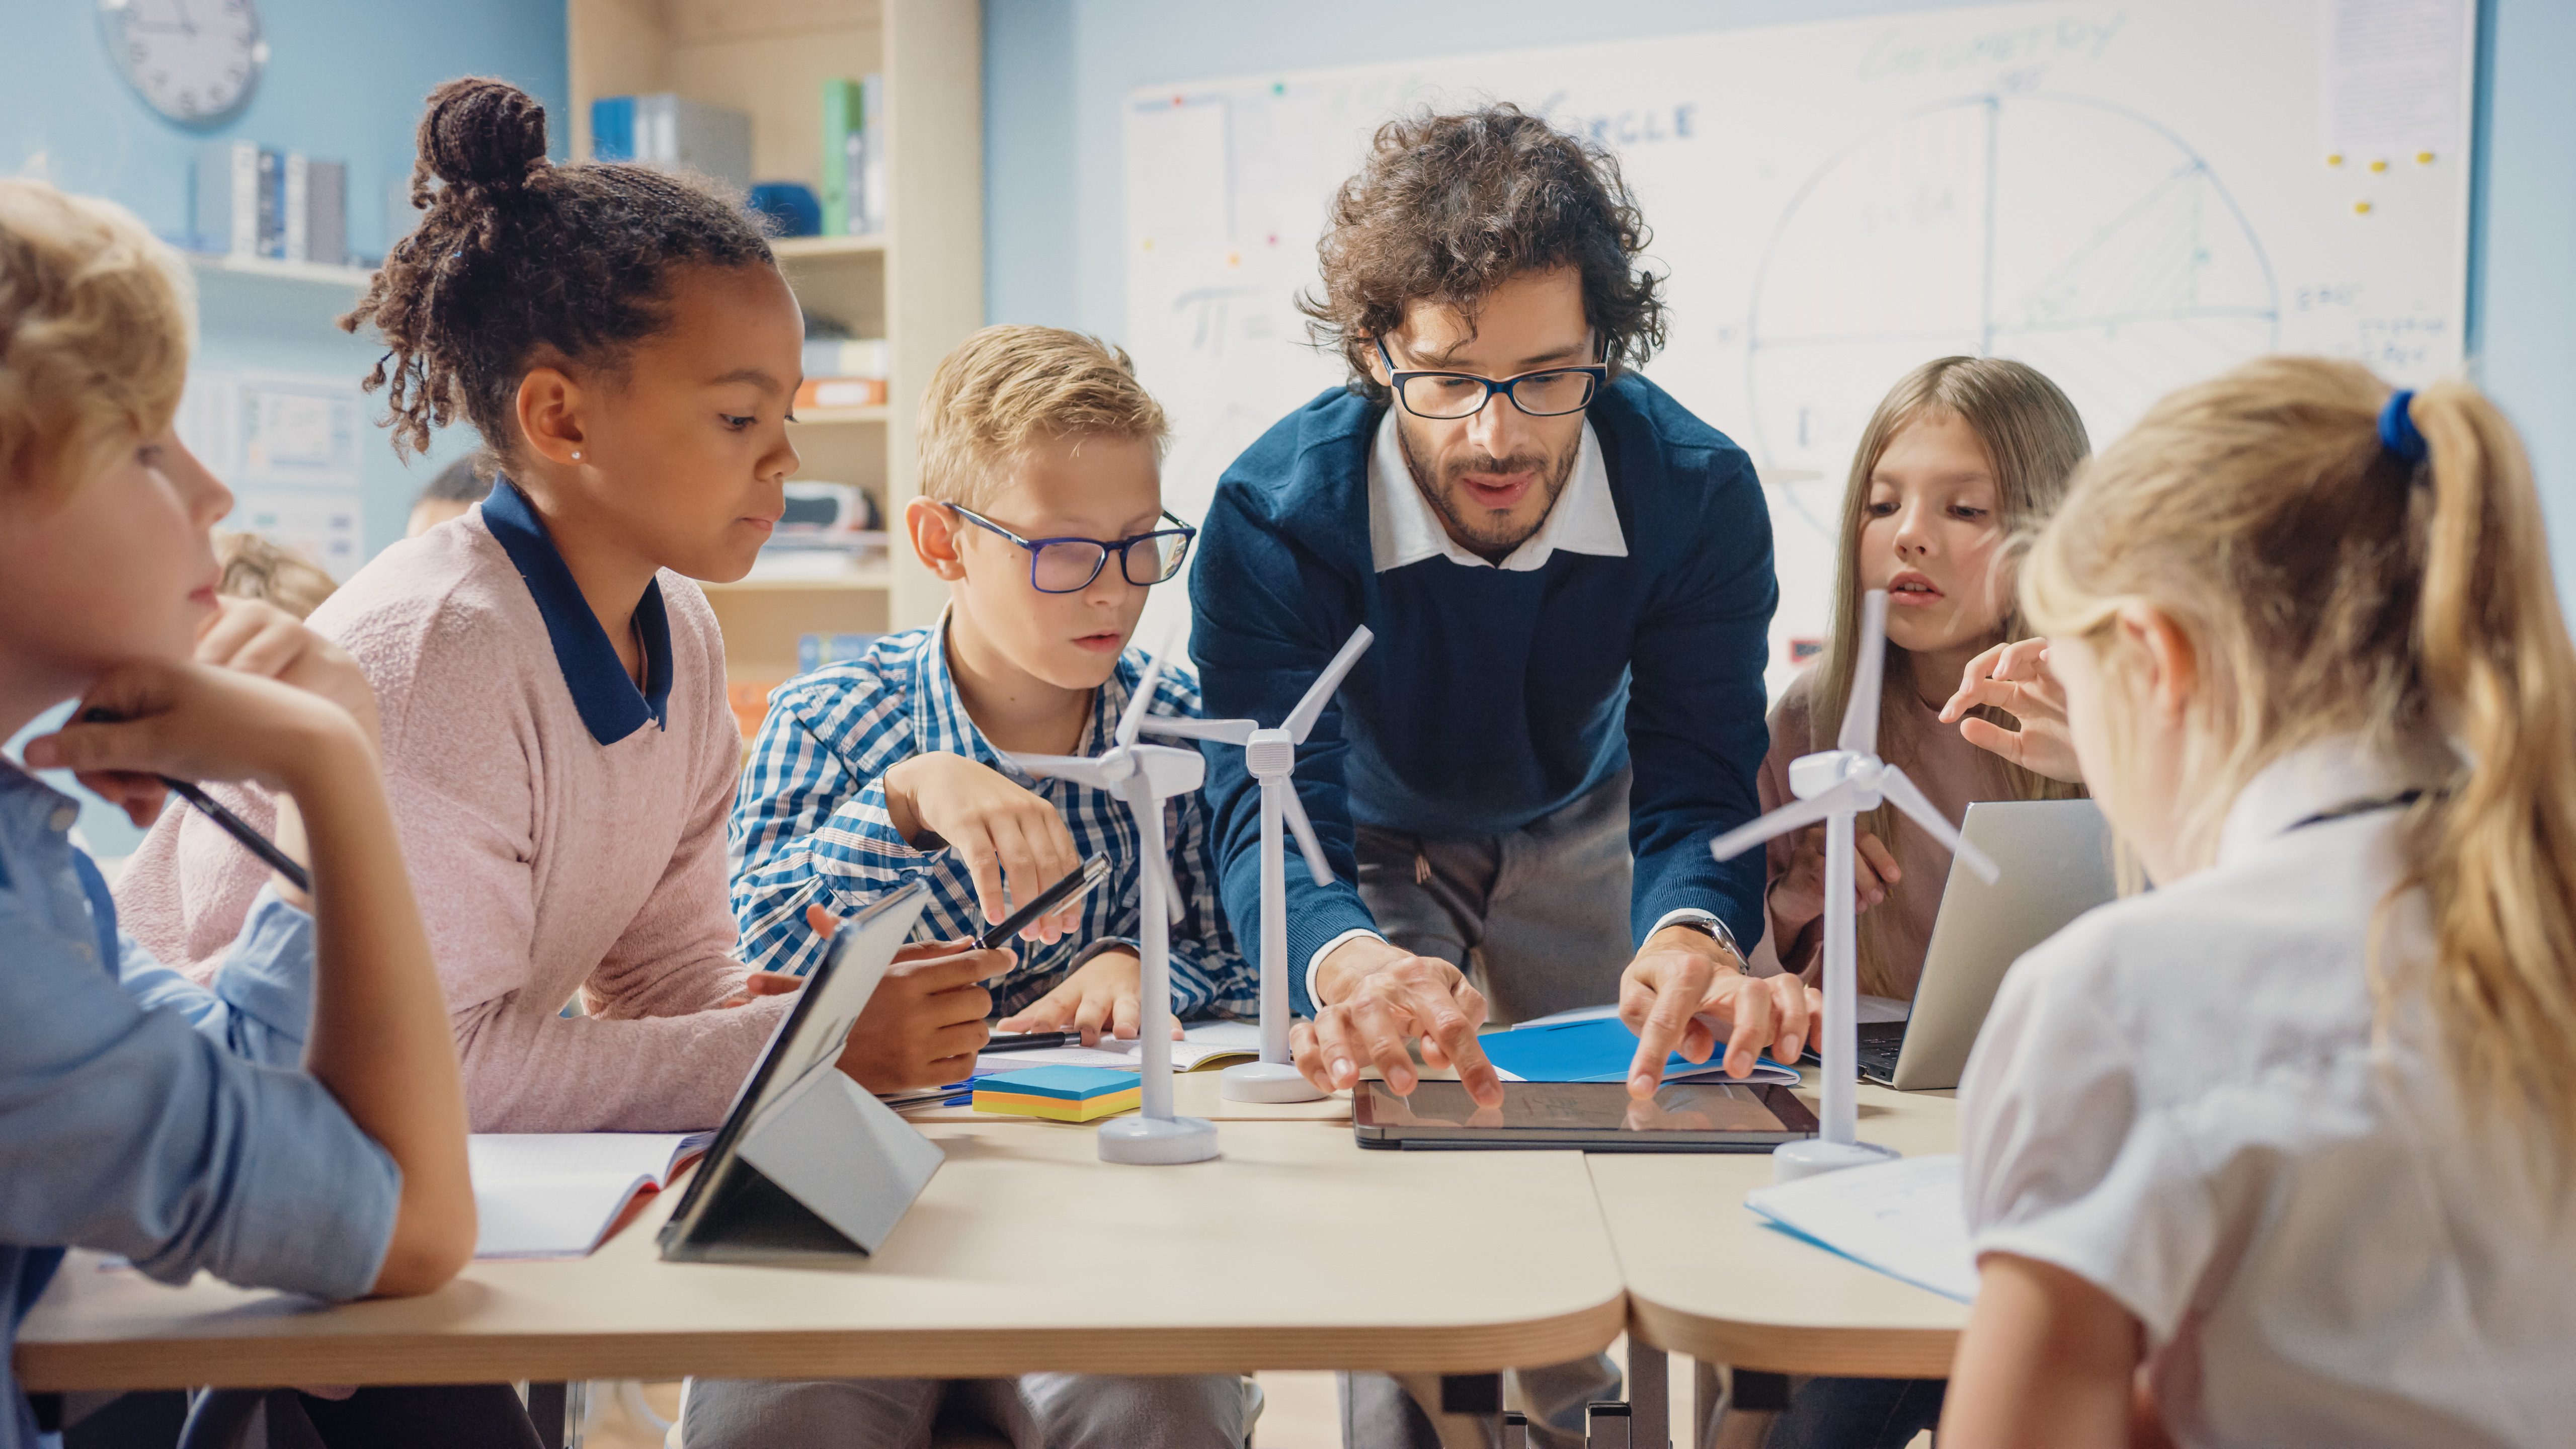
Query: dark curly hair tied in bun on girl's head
{"type": "Point", "coordinates": [519, 259]}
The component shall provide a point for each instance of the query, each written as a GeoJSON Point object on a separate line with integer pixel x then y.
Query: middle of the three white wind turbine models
{"type": "Point", "coordinates": [1271, 759]}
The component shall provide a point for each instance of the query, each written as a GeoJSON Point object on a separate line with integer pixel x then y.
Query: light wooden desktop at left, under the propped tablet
{"type": "Point", "coordinates": [1292, 1252]}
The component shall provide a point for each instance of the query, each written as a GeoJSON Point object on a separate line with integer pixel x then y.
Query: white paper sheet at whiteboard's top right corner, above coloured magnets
{"type": "Point", "coordinates": [2394, 79]}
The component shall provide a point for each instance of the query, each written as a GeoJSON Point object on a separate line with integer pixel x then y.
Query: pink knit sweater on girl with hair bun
{"type": "Point", "coordinates": [545, 862]}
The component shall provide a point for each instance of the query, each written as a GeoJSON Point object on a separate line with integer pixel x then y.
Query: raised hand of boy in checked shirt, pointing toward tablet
{"type": "Point", "coordinates": [998, 829]}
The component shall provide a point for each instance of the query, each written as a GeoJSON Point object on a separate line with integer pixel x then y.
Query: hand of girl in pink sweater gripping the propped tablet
{"type": "Point", "coordinates": [926, 1020]}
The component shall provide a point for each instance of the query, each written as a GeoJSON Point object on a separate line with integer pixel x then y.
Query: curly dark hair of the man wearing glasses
{"type": "Point", "coordinates": [1452, 208]}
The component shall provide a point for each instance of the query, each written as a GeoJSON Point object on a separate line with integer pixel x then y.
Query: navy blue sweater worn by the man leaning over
{"type": "Point", "coordinates": [1493, 697]}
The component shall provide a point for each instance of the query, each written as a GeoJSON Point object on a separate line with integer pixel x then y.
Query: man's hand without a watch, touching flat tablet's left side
{"type": "Point", "coordinates": [1374, 1002]}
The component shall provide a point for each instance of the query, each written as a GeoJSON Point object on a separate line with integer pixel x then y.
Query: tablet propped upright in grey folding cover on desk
{"type": "Point", "coordinates": [808, 1167]}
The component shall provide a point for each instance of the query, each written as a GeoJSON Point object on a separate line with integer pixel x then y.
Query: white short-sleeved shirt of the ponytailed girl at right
{"type": "Point", "coordinates": [2181, 1102]}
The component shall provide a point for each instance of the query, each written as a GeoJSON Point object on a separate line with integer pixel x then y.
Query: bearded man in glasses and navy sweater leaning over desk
{"type": "Point", "coordinates": [1573, 584]}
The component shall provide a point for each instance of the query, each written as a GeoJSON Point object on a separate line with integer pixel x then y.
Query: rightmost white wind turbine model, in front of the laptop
{"type": "Point", "coordinates": [1835, 788]}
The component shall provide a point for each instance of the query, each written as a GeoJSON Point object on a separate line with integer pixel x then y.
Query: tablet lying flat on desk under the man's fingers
{"type": "Point", "coordinates": [1588, 1118]}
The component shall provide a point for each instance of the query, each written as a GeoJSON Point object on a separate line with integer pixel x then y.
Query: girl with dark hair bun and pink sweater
{"type": "Point", "coordinates": [553, 682]}
